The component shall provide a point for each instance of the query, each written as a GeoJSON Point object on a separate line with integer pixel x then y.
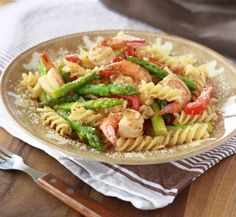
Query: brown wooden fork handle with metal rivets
{"type": "Point", "coordinates": [73, 197]}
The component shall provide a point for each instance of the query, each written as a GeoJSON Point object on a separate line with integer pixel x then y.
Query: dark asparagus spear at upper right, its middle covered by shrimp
{"type": "Point", "coordinates": [160, 73]}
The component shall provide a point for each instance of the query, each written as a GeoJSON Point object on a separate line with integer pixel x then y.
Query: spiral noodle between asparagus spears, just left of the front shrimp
{"type": "Point", "coordinates": [85, 116]}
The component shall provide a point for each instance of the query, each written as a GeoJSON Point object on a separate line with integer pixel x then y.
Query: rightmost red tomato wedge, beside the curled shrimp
{"type": "Point", "coordinates": [198, 106]}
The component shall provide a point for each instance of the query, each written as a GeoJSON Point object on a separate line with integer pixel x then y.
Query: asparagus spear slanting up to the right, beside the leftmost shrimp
{"type": "Point", "coordinates": [63, 90]}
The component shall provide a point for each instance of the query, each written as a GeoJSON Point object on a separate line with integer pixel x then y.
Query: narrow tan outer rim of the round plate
{"type": "Point", "coordinates": [101, 157]}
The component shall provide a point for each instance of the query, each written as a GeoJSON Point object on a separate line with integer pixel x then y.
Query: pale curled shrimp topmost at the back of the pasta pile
{"type": "Point", "coordinates": [102, 52]}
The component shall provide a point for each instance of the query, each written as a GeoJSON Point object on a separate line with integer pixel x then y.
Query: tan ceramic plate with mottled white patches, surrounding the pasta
{"type": "Point", "coordinates": [225, 85]}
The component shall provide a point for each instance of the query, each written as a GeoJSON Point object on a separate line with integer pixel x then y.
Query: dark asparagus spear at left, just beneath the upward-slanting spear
{"type": "Point", "coordinates": [61, 100]}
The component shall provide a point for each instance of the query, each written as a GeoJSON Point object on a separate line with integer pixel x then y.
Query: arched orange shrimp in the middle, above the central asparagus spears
{"type": "Point", "coordinates": [127, 68]}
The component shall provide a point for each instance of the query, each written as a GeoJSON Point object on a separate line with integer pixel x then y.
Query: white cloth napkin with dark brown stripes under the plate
{"type": "Point", "coordinates": [147, 187]}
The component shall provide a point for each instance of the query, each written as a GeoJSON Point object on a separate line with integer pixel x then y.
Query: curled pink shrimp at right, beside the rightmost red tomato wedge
{"type": "Point", "coordinates": [173, 81]}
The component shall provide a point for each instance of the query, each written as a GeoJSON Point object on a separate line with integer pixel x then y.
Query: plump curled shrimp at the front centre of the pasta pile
{"type": "Point", "coordinates": [128, 124]}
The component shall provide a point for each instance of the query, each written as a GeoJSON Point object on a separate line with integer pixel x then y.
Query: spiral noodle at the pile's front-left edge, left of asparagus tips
{"type": "Point", "coordinates": [55, 121]}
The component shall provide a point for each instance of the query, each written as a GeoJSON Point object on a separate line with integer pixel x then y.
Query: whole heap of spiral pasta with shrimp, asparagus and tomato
{"type": "Point", "coordinates": [124, 94]}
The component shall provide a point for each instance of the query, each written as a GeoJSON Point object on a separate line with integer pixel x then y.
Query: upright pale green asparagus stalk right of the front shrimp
{"type": "Point", "coordinates": [157, 120]}
